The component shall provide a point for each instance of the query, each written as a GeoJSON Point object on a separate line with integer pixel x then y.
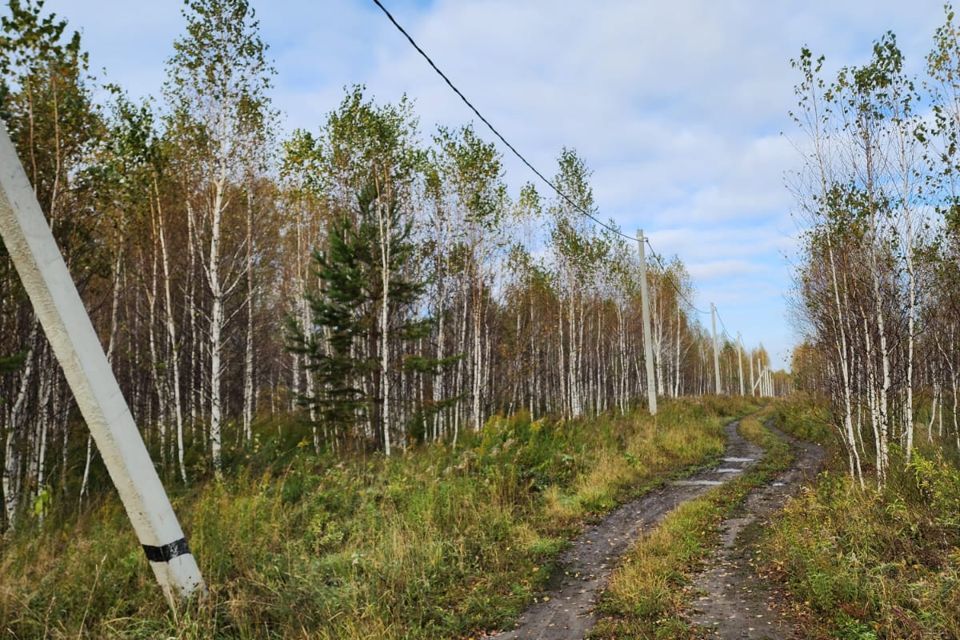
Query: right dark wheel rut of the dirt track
{"type": "Point", "coordinates": [736, 603]}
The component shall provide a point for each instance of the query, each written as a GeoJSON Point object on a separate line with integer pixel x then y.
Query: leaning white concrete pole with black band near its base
{"type": "Point", "coordinates": [64, 319]}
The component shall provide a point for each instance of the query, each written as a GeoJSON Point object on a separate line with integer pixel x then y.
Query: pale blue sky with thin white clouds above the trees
{"type": "Point", "coordinates": [679, 107]}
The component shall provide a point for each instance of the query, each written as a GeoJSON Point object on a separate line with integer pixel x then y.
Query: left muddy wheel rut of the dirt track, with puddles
{"type": "Point", "coordinates": [566, 610]}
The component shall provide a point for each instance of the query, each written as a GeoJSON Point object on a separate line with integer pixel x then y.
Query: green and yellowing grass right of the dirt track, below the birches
{"type": "Point", "coordinates": [875, 563]}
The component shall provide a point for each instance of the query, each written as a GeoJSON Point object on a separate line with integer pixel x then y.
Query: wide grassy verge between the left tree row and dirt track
{"type": "Point", "coordinates": [434, 543]}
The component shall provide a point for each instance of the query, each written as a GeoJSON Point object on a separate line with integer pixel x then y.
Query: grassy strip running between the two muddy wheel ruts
{"type": "Point", "coordinates": [648, 593]}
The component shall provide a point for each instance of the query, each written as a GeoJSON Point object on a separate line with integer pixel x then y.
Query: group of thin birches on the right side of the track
{"type": "Point", "coordinates": [878, 290]}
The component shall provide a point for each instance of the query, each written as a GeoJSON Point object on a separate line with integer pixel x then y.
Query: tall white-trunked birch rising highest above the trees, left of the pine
{"type": "Point", "coordinates": [218, 79]}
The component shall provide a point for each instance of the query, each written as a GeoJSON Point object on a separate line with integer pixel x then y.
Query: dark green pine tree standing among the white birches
{"type": "Point", "coordinates": [345, 315]}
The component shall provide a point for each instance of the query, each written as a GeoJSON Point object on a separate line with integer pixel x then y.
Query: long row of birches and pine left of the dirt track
{"type": "Point", "coordinates": [377, 284]}
